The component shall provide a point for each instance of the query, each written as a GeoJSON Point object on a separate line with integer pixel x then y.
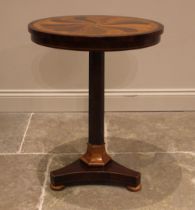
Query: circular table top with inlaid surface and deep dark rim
{"type": "Point", "coordinates": [95, 32]}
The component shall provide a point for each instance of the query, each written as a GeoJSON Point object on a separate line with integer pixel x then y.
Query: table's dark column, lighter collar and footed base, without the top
{"type": "Point", "coordinates": [95, 166]}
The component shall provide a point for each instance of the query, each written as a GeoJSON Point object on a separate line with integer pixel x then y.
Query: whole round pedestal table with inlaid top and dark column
{"type": "Point", "coordinates": [96, 34]}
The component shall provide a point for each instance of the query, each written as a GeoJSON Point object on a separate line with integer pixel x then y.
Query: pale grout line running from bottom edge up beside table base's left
{"type": "Point", "coordinates": [42, 196]}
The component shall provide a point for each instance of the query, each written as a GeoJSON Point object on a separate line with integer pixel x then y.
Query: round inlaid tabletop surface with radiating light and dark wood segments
{"type": "Point", "coordinates": [96, 26]}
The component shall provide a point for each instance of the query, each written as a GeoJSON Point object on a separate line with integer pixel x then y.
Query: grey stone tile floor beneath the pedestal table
{"type": "Point", "coordinates": [161, 145]}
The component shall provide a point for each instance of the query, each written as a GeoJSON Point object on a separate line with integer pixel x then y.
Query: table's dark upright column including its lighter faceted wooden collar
{"type": "Point", "coordinates": [96, 152]}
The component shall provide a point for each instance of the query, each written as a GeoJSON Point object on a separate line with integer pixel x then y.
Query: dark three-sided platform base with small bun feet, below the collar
{"type": "Point", "coordinates": [79, 173]}
